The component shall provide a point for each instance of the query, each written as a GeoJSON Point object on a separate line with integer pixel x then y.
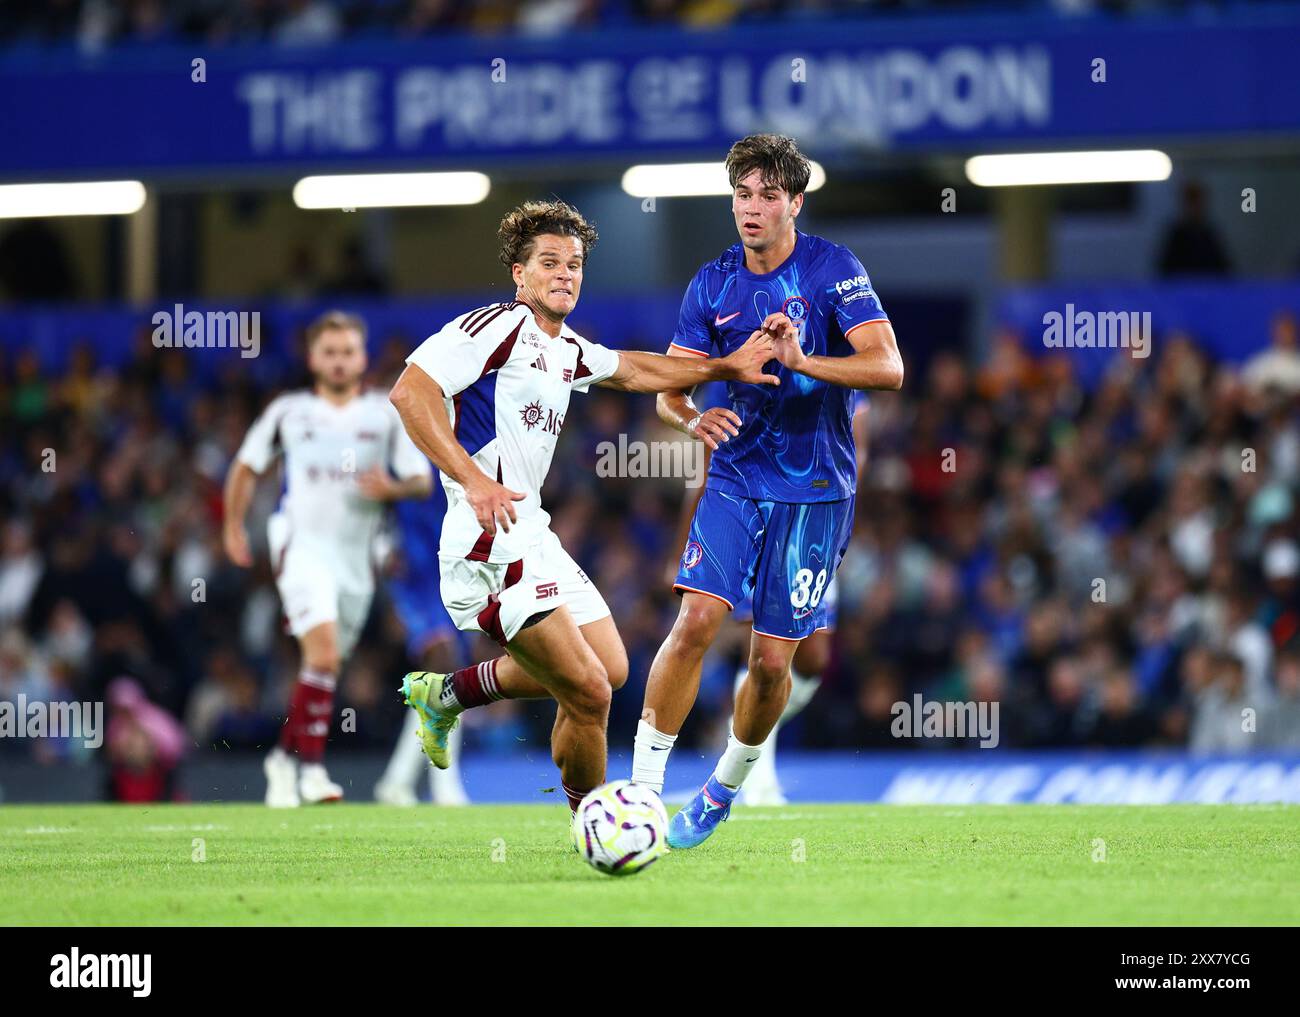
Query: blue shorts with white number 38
{"type": "Point", "coordinates": [779, 555]}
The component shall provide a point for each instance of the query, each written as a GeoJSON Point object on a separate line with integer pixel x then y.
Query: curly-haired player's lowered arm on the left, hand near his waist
{"type": "Point", "coordinates": [419, 400]}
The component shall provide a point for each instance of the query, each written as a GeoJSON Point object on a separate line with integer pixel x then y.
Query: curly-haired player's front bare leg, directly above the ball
{"type": "Point", "coordinates": [558, 657]}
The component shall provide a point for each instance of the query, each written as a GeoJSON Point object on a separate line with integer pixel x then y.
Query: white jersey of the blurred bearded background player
{"type": "Point", "coordinates": [327, 448]}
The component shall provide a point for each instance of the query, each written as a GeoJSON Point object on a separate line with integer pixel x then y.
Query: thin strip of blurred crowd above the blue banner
{"type": "Point", "coordinates": [94, 24]}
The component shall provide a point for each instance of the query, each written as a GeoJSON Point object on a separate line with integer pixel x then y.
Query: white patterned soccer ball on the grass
{"type": "Point", "coordinates": [621, 828]}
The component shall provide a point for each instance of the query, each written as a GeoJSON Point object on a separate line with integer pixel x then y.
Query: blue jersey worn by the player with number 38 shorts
{"type": "Point", "coordinates": [796, 439]}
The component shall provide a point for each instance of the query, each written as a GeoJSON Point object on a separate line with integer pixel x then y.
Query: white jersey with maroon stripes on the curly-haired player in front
{"type": "Point", "coordinates": [508, 388]}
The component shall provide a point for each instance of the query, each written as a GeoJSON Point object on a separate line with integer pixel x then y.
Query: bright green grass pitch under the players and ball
{"type": "Point", "coordinates": [863, 865]}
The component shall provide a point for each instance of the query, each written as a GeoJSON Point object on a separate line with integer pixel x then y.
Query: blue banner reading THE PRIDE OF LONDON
{"type": "Point", "coordinates": [941, 84]}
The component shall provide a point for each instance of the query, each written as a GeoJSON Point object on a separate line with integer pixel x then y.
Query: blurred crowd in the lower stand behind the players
{"type": "Point", "coordinates": [1117, 568]}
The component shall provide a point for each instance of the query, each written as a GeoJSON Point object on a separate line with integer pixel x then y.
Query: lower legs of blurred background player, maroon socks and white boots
{"type": "Point", "coordinates": [296, 772]}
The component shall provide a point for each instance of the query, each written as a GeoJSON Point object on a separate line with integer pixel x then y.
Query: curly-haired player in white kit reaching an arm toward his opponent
{"type": "Point", "coordinates": [486, 400]}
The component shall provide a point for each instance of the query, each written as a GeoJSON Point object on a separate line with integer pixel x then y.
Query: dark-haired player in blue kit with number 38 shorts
{"type": "Point", "coordinates": [778, 509]}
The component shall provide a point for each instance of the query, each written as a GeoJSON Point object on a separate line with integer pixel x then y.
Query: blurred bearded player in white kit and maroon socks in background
{"type": "Point", "coordinates": [346, 456]}
